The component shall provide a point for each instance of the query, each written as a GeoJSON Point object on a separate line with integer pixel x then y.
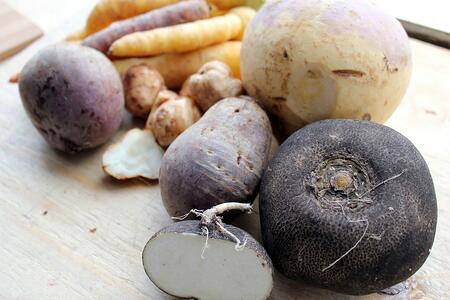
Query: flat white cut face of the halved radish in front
{"type": "Point", "coordinates": [174, 264]}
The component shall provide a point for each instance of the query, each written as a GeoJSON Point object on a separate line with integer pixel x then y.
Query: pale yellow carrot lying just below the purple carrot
{"type": "Point", "coordinates": [184, 37]}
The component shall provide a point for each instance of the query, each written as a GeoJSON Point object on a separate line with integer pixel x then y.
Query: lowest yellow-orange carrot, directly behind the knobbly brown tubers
{"type": "Point", "coordinates": [176, 68]}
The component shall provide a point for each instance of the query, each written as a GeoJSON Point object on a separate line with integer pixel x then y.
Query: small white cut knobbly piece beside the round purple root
{"type": "Point", "coordinates": [137, 155]}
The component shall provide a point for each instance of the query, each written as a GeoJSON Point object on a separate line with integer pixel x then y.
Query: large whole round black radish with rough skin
{"type": "Point", "coordinates": [349, 206]}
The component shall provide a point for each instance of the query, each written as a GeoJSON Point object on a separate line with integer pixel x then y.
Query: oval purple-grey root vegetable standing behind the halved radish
{"type": "Point", "coordinates": [219, 159]}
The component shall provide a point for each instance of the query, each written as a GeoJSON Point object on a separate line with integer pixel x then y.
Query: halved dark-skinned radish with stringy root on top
{"type": "Point", "coordinates": [209, 260]}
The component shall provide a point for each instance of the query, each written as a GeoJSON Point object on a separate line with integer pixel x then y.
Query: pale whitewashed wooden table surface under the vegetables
{"type": "Point", "coordinates": [70, 232]}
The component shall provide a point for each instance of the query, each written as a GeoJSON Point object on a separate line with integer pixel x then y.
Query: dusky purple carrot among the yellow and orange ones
{"type": "Point", "coordinates": [182, 12]}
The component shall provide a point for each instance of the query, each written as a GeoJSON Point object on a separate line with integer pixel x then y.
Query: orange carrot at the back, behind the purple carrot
{"type": "Point", "coordinates": [108, 11]}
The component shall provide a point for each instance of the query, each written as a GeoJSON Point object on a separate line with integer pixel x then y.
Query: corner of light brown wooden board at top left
{"type": "Point", "coordinates": [16, 31]}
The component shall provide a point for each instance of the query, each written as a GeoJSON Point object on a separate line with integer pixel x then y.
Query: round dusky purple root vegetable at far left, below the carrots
{"type": "Point", "coordinates": [73, 96]}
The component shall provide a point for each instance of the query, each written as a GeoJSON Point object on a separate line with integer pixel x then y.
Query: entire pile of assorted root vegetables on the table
{"type": "Point", "coordinates": [344, 205]}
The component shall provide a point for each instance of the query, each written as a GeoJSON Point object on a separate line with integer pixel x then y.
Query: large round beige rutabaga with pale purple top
{"type": "Point", "coordinates": [312, 60]}
